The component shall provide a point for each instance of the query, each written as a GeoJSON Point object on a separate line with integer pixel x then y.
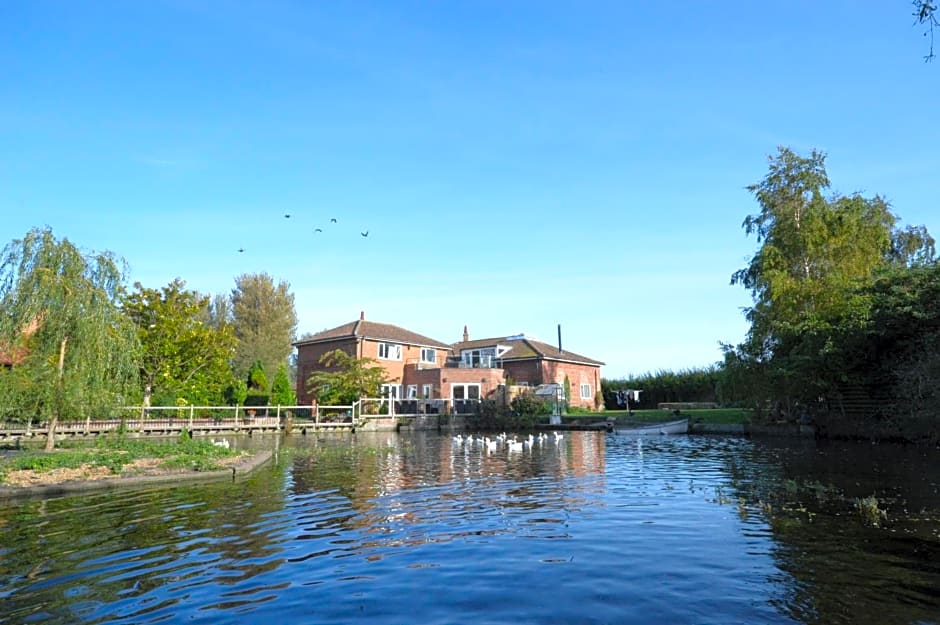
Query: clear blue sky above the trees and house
{"type": "Point", "coordinates": [517, 165]}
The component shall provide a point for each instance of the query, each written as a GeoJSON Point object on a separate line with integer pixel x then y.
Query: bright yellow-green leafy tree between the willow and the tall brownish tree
{"type": "Point", "coordinates": [184, 358]}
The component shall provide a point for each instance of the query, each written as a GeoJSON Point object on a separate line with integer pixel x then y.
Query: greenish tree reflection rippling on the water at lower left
{"type": "Point", "coordinates": [132, 544]}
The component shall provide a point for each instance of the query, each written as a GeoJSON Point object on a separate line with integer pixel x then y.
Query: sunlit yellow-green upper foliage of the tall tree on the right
{"type": "Point", "coordinates": [813, 250]}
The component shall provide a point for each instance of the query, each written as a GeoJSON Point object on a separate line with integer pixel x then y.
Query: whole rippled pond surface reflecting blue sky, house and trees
{"type": "Point", "coordinates": [412, 529]}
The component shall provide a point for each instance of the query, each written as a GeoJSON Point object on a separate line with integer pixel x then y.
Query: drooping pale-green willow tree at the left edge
{"type": "Point", "coordinates": [76, 353]}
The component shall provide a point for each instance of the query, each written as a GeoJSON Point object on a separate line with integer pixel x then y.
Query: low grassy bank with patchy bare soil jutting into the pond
{"type": "Point", "coordinates": [116, 456]}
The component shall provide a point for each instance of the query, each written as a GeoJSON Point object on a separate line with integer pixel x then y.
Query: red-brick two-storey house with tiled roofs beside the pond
{"type": "Point", "coordinates": [423, 368]}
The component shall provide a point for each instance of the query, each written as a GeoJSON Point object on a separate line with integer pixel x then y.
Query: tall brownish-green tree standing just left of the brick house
{"type": "Point", "coordinates": [264, 320]}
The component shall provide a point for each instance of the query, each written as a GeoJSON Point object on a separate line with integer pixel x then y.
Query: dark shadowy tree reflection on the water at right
{"type": "Point", "coordinates": [844, 570]}
